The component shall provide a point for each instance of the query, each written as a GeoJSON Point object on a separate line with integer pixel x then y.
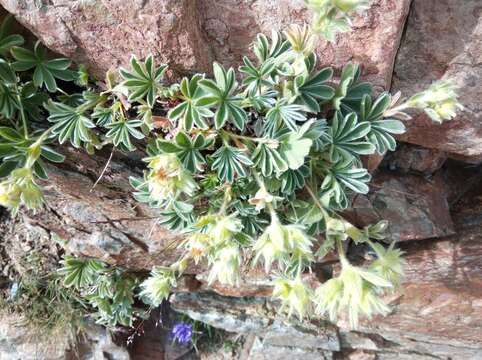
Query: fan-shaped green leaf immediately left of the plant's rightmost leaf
{"type": "Point", "coordinates": [347, 137]}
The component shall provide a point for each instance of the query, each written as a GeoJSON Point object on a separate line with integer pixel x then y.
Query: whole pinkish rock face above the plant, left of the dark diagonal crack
{"type": "Point", "coordinates": [189, 35]}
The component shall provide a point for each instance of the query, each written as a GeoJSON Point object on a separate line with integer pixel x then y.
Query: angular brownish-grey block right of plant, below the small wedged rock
{"type": "Point", "coordinates": [415, 207]}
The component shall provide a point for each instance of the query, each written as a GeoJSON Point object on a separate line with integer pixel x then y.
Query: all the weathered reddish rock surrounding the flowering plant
{"type": "Point", "coordinates": [439, 313]}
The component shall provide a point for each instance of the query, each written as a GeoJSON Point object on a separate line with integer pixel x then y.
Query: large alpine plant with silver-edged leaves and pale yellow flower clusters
{"type": "Point", "coordinates": [255, 167]}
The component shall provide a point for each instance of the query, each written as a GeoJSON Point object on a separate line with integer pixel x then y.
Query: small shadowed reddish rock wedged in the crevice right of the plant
{"type": "Point", "coordinates": [416, 159]}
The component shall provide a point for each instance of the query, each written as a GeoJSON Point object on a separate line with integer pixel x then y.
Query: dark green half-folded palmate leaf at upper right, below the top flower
{"type": "Point", "coordinates": [311, 91]}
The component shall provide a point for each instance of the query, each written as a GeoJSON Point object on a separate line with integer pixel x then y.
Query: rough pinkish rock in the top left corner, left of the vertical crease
{"type": "Point", "coordinates": [104, 34]}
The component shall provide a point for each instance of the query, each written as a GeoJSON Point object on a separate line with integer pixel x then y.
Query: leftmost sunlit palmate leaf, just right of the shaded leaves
{"type": "Point", "coordinates": [69, 124]}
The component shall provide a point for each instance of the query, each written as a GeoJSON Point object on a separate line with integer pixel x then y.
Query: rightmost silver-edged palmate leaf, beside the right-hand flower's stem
{"type": "Point", "coordinates": [380, 129]}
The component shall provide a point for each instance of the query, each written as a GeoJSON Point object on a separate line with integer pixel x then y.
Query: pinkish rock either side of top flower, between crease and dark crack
{"type": "Point", "coordinates": [373, 41]}
